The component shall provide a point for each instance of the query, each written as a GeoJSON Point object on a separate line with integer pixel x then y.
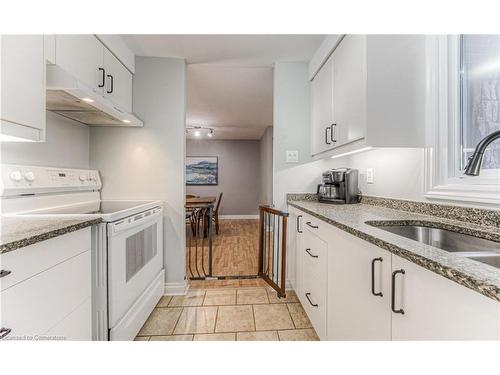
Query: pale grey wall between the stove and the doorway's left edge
{"type": "Point", "coordinates": [148, 162]}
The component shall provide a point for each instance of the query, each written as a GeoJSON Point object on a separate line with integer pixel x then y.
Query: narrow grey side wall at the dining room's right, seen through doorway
{"type": "Point", "coordinates": [266, 167]}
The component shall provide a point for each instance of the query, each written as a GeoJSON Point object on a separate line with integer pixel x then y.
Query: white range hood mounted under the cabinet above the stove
{"type": "Point", "coordinates": [73, 99]}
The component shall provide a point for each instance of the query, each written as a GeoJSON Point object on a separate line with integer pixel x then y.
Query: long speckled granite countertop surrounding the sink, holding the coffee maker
{"type": "Point", "coordinates": [477, 276]}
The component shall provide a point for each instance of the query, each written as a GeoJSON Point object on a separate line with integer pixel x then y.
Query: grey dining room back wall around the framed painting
{"type": "Point", "coordinates": [239, 174]}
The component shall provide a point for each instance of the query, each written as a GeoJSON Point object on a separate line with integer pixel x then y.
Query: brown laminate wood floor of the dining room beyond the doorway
{"type": "Point", "coordinates": [235, 250]}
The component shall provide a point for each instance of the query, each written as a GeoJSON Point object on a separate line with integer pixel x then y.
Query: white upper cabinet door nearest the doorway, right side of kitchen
{"type": "Point", "coordinates": [322, 109]}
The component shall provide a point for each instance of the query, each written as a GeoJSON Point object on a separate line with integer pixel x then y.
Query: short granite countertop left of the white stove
{"type": "Point", "coordinates": [20, 231]}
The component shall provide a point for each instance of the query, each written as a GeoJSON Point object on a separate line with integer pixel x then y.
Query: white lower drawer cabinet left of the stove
{"type": "Point", "coordinates": [47, 294]}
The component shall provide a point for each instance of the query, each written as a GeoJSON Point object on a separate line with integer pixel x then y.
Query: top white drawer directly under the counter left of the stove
{"type": "Point", "coordinates": [31, 260]}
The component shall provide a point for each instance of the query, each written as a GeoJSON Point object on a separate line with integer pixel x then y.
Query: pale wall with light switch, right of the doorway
{"type": "Point", "coordinates": [291, 117]}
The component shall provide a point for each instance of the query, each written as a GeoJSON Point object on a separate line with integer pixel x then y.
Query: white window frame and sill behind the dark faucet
{"type": "Point", "coordinates": [442, 180]}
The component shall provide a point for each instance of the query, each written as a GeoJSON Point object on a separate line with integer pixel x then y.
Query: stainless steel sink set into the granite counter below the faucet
{"type": "Point", "coordinates": [475, 248]}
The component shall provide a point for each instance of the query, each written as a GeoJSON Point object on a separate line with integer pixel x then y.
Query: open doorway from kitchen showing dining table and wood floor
{"type": "Point", "coordinates": [229, 162]}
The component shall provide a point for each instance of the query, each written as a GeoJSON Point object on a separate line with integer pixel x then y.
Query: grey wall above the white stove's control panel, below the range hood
{"type": "Point", "coordinates": [66, 146]}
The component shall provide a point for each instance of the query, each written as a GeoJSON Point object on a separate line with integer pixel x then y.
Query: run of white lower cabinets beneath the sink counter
{"type": "Point", "coordinates": [359, 291]}
